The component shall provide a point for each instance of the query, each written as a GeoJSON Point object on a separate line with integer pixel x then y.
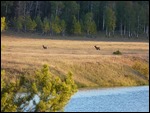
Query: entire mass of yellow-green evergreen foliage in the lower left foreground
{"type": "Point", "coordinates": [53, 93]}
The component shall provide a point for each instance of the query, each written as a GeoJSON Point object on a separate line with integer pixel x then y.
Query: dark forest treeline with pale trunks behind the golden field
{"type": "Point", "coordinates": [127, 18]}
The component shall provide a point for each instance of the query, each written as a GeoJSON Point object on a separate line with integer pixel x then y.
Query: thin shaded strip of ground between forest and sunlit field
{"type": "Point", "coordinates": [74, 38]}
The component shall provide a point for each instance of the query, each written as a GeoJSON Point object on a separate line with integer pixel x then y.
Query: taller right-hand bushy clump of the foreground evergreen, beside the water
{"type": "Point", "coordinates": [53, 92]}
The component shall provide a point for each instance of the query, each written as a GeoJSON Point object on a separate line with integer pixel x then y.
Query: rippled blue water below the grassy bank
{"type": "Point", "coordinates": [123, 99]}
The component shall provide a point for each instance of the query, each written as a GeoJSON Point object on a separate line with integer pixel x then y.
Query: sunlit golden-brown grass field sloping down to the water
{"type": "Point", "coordinates": [90, 67]}
